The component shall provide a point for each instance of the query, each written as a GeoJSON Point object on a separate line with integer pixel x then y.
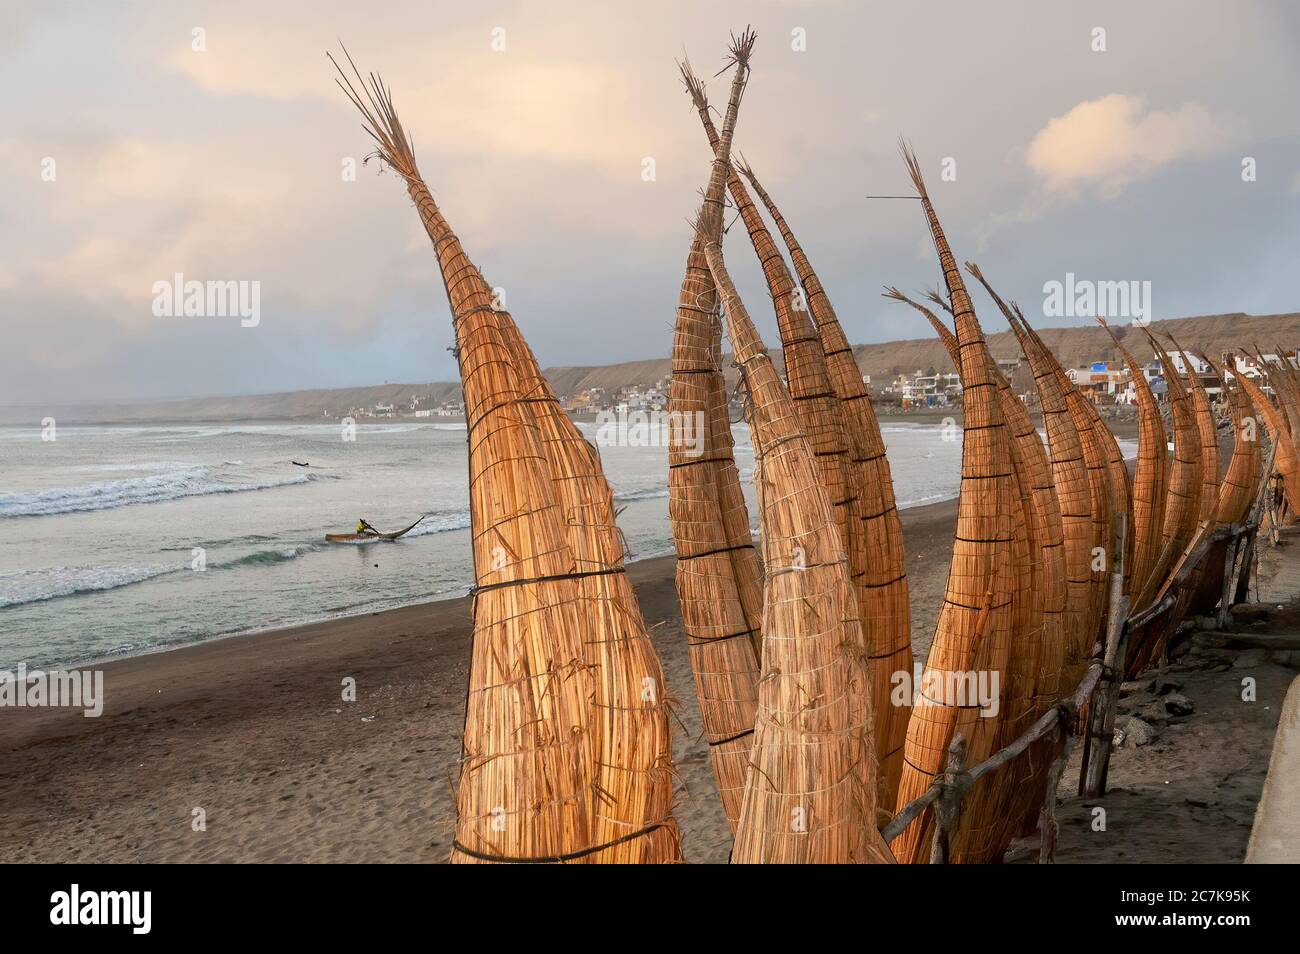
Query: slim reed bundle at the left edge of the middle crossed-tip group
{"type": "Point", "coordinates": [717, 576]}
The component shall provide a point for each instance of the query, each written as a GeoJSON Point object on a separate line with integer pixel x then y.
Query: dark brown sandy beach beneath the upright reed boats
{"type": "Point", "coordinates": [252, 736]}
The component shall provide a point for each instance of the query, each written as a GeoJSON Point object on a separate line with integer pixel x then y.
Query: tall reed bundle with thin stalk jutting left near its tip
{"type": "Point", "coordinates": [976, 623]}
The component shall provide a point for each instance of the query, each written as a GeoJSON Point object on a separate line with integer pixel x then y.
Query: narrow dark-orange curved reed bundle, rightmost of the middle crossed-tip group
{"type": "Point", "coordinates": [883, 583]}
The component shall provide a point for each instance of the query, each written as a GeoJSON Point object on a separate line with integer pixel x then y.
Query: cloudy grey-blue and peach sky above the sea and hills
{"type": "Point", "coordinates": [142, 141]}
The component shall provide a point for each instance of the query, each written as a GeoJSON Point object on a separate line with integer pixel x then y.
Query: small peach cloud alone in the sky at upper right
{"type": "Point", "coordinates": [1111, 142]}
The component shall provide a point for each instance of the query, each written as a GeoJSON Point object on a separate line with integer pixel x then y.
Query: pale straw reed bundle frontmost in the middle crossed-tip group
{"type": "Point", "coordinates": [811, 791]}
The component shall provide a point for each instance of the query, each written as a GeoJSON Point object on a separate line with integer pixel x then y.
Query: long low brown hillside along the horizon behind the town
{"type": "Point", "coordinates": [1074, 346]}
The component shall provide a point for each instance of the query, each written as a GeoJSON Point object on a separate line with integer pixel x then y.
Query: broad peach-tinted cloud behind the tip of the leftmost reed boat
{"type": "Point", "coordinates": [523, 103]}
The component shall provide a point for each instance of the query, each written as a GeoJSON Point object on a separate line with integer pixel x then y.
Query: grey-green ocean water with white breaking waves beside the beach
{"type": "Point", "coordinates": [103, 528]}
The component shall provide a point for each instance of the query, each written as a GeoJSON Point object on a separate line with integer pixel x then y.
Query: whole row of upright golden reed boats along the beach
{"type": "Point", "coordinates": [798, 644]}
